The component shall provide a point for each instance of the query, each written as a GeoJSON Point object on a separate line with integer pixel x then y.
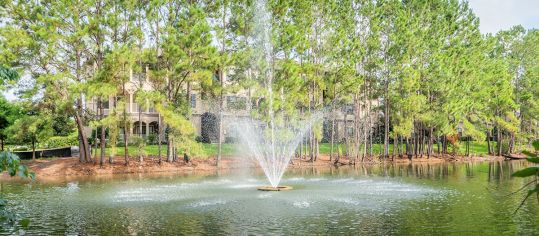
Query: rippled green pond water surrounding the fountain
{"type": "Point", "coordinates": [422, 198]}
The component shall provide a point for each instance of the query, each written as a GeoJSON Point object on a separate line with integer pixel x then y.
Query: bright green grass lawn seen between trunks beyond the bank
{"type": "Point", "coordinates": [209, 150]}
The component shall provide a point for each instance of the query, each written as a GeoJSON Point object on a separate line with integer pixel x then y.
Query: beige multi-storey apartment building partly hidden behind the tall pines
{"type": "Point", "coordinates": [205, 114]}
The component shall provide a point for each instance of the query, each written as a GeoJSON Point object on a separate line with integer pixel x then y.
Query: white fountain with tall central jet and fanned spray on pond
{"type": "Point", "coordinates": [271, 143]}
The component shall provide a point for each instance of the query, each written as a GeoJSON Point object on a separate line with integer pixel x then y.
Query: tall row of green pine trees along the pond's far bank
{"type": "Point", "coordinates": [420, 70]}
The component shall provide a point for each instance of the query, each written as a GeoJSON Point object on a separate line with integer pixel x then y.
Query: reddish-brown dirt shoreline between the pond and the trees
{"type": "Point", "coordinates": [69, 167]}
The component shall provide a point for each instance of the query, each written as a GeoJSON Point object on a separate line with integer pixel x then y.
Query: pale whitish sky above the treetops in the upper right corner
{"type": "Point", "coordinates": [496, 15]}
